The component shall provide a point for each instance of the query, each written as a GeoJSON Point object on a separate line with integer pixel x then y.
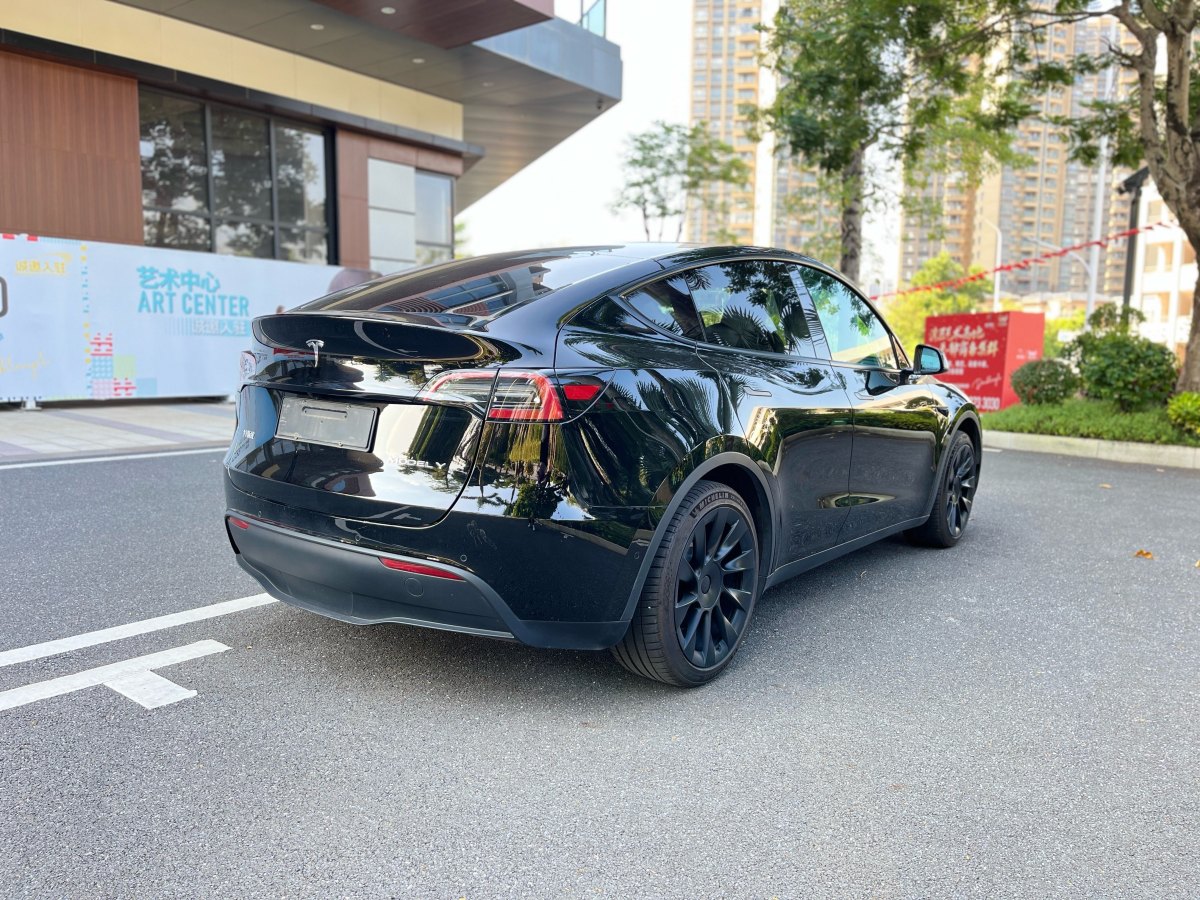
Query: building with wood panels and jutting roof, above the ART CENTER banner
{"type": "Point", "coordinates": [313, 131]}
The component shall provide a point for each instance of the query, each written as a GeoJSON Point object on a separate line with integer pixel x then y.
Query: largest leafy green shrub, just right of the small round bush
{"type": "Point", "coordinates": [1131, 371]}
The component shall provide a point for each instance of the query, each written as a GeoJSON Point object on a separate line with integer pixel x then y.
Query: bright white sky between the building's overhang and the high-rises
{"type": "Point", "coordinates": [566, 197]}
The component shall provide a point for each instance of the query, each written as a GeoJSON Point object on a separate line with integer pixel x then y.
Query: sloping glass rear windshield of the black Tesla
{"type": "Point", "coordinates": [483, 287]}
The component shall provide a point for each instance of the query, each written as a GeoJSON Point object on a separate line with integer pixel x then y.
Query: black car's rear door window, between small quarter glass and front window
{"type": "Point", "coordinates": [751, 305]}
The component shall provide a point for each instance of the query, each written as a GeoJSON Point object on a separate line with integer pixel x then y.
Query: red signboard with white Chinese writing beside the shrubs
{"type": "Point", "coordinates": [985, 349]}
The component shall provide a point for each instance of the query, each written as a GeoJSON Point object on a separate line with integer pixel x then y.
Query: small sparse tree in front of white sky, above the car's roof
{"type": "Point", "coordinates": [669, 166]}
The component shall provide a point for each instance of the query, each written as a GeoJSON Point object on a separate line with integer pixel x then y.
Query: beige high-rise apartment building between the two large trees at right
{"type": "Point", "coordinates": [1045, 203]}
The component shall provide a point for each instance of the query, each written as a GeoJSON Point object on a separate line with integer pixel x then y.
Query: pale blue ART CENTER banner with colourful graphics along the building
{"type": "Point", "coordinates": [87, 321]}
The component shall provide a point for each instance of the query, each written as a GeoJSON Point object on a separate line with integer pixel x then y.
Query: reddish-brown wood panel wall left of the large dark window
{"type": "Point", "coordinates": [69, 152]}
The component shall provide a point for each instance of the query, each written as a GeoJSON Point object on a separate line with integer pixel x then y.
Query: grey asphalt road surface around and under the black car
{"type": "Point", "coordinates": [1016, 717]}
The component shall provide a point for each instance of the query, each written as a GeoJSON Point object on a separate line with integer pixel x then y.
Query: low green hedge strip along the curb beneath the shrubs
{"type": "Point", "coordinates": [1091, 419]}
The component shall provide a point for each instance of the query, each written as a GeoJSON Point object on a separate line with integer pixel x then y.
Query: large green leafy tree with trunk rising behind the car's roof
{"type": "Point", "coordinates": [919, 82]}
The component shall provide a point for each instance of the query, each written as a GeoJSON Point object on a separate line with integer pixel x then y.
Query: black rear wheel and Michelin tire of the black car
{"type": "Point", "coordinates": [700, 593]}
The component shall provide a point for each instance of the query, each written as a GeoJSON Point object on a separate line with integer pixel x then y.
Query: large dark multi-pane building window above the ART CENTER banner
{"type": "Point", "coordinates": [227, 181]}
